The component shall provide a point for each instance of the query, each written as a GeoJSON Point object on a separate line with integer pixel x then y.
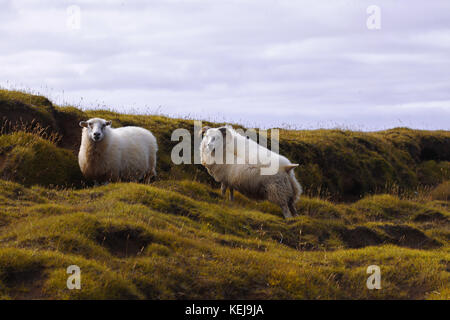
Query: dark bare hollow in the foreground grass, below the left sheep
{"type": "Point", "coordinates": [123, 242]}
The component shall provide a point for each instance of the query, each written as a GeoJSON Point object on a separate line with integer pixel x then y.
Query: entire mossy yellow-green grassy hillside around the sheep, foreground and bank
{"type": "Point", "coordinates": [177, 238]}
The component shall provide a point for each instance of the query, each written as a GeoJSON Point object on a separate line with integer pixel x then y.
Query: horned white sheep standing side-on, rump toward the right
{"type": "Point", "coordinates": [245, 176]}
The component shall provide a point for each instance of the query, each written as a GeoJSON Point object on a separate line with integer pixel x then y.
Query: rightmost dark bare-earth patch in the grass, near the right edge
{"type": "Point", "coordinates": [410, 237]}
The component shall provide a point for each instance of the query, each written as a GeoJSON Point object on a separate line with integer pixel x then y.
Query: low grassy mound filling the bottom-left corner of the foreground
{"type": "Point", "coordinates": [27, 275]}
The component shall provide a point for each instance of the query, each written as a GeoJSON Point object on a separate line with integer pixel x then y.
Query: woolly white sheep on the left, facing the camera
{"type": "Point", "coordinates": [116, 154]}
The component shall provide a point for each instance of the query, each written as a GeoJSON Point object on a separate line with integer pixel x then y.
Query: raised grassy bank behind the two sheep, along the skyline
{"type": "Point", "coordinates": [340, 164]}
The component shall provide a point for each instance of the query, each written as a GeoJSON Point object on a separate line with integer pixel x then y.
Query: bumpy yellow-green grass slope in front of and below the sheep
{"type": "Point", "coordinates": [179, 239]}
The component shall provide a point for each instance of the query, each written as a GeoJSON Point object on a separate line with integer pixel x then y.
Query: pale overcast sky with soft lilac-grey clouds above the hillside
{"type": "Point", "coordinates": [265, 63]}
